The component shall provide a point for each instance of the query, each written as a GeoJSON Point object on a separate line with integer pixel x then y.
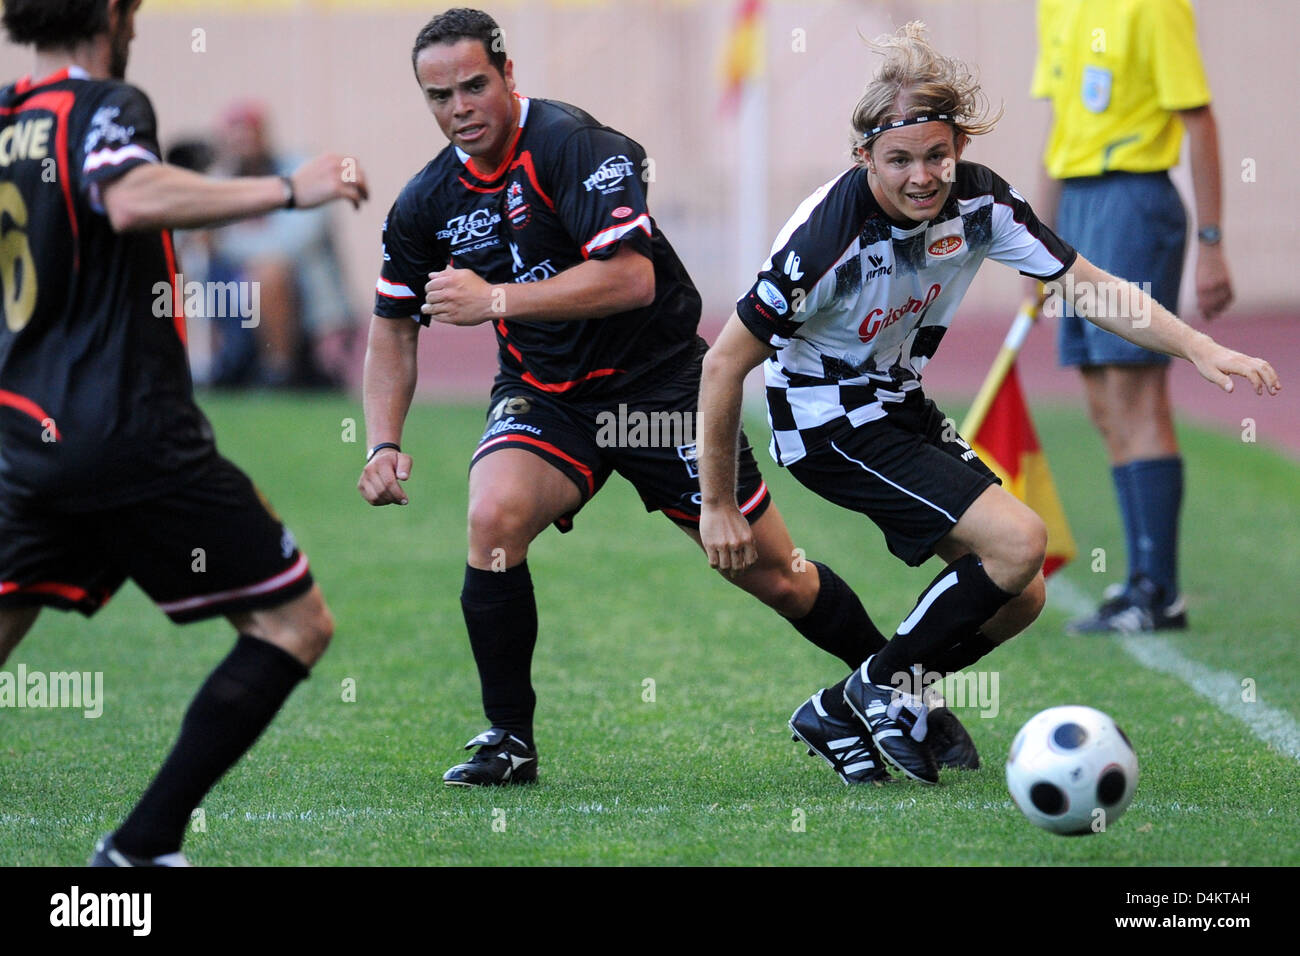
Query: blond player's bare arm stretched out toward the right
{"type": "Point", "coordinates": [1124, 309]}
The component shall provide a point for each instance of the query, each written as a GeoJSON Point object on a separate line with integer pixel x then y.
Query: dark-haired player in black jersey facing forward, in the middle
{"type": "Point", "coordinates": [535, 219]}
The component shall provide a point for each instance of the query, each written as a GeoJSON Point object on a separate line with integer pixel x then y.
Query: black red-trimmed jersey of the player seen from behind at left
{"type": "Point", "coordinates": [96, 395]}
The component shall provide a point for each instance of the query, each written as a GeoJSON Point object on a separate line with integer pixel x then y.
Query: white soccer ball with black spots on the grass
{"type": "Point", "coordinates": [1072, 771]}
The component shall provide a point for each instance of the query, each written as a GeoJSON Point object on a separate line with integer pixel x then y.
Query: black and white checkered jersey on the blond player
{"type": "Point", "coordinates": [856, 304]}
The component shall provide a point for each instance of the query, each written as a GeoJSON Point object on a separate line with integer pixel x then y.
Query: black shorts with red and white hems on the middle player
{"type": "Point", "coordinates": [649, 440]}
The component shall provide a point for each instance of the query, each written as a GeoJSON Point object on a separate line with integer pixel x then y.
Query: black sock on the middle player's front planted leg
{"type": "Point", "coordinates": [501, 617]}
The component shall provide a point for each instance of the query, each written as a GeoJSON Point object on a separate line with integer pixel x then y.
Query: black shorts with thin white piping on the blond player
{"type": "Point", "coordinates": [909, 473]}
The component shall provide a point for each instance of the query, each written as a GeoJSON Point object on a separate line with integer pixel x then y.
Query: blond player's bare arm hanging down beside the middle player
{"type": "Point", "coordinates": [723, 530]}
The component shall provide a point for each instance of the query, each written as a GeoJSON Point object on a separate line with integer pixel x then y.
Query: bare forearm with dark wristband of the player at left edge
{"type": "Point", "coordinates": [157, 196]}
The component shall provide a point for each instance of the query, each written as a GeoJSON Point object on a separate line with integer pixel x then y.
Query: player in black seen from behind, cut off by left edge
{"type": "Point", "coordinates": [109, 470]}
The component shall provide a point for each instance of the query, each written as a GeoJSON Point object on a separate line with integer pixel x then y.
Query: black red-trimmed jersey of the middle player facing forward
{"type": "Point", "coordinates": [570, 191]}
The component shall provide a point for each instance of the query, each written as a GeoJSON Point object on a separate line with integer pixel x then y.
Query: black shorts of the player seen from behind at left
{"type": "Point", "coordinates": [210, 548]}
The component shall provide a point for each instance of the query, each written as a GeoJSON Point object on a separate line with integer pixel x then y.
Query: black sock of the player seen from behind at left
{"type": "Point", "coordinates": [229, 713]}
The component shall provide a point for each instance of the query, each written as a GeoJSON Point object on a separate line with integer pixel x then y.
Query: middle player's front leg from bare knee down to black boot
{"type": "Point", "coordinates": [514, 496]}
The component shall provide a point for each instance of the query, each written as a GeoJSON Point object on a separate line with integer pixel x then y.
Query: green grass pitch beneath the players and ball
{"type": "Point", "coordinates": [704, 775]}
